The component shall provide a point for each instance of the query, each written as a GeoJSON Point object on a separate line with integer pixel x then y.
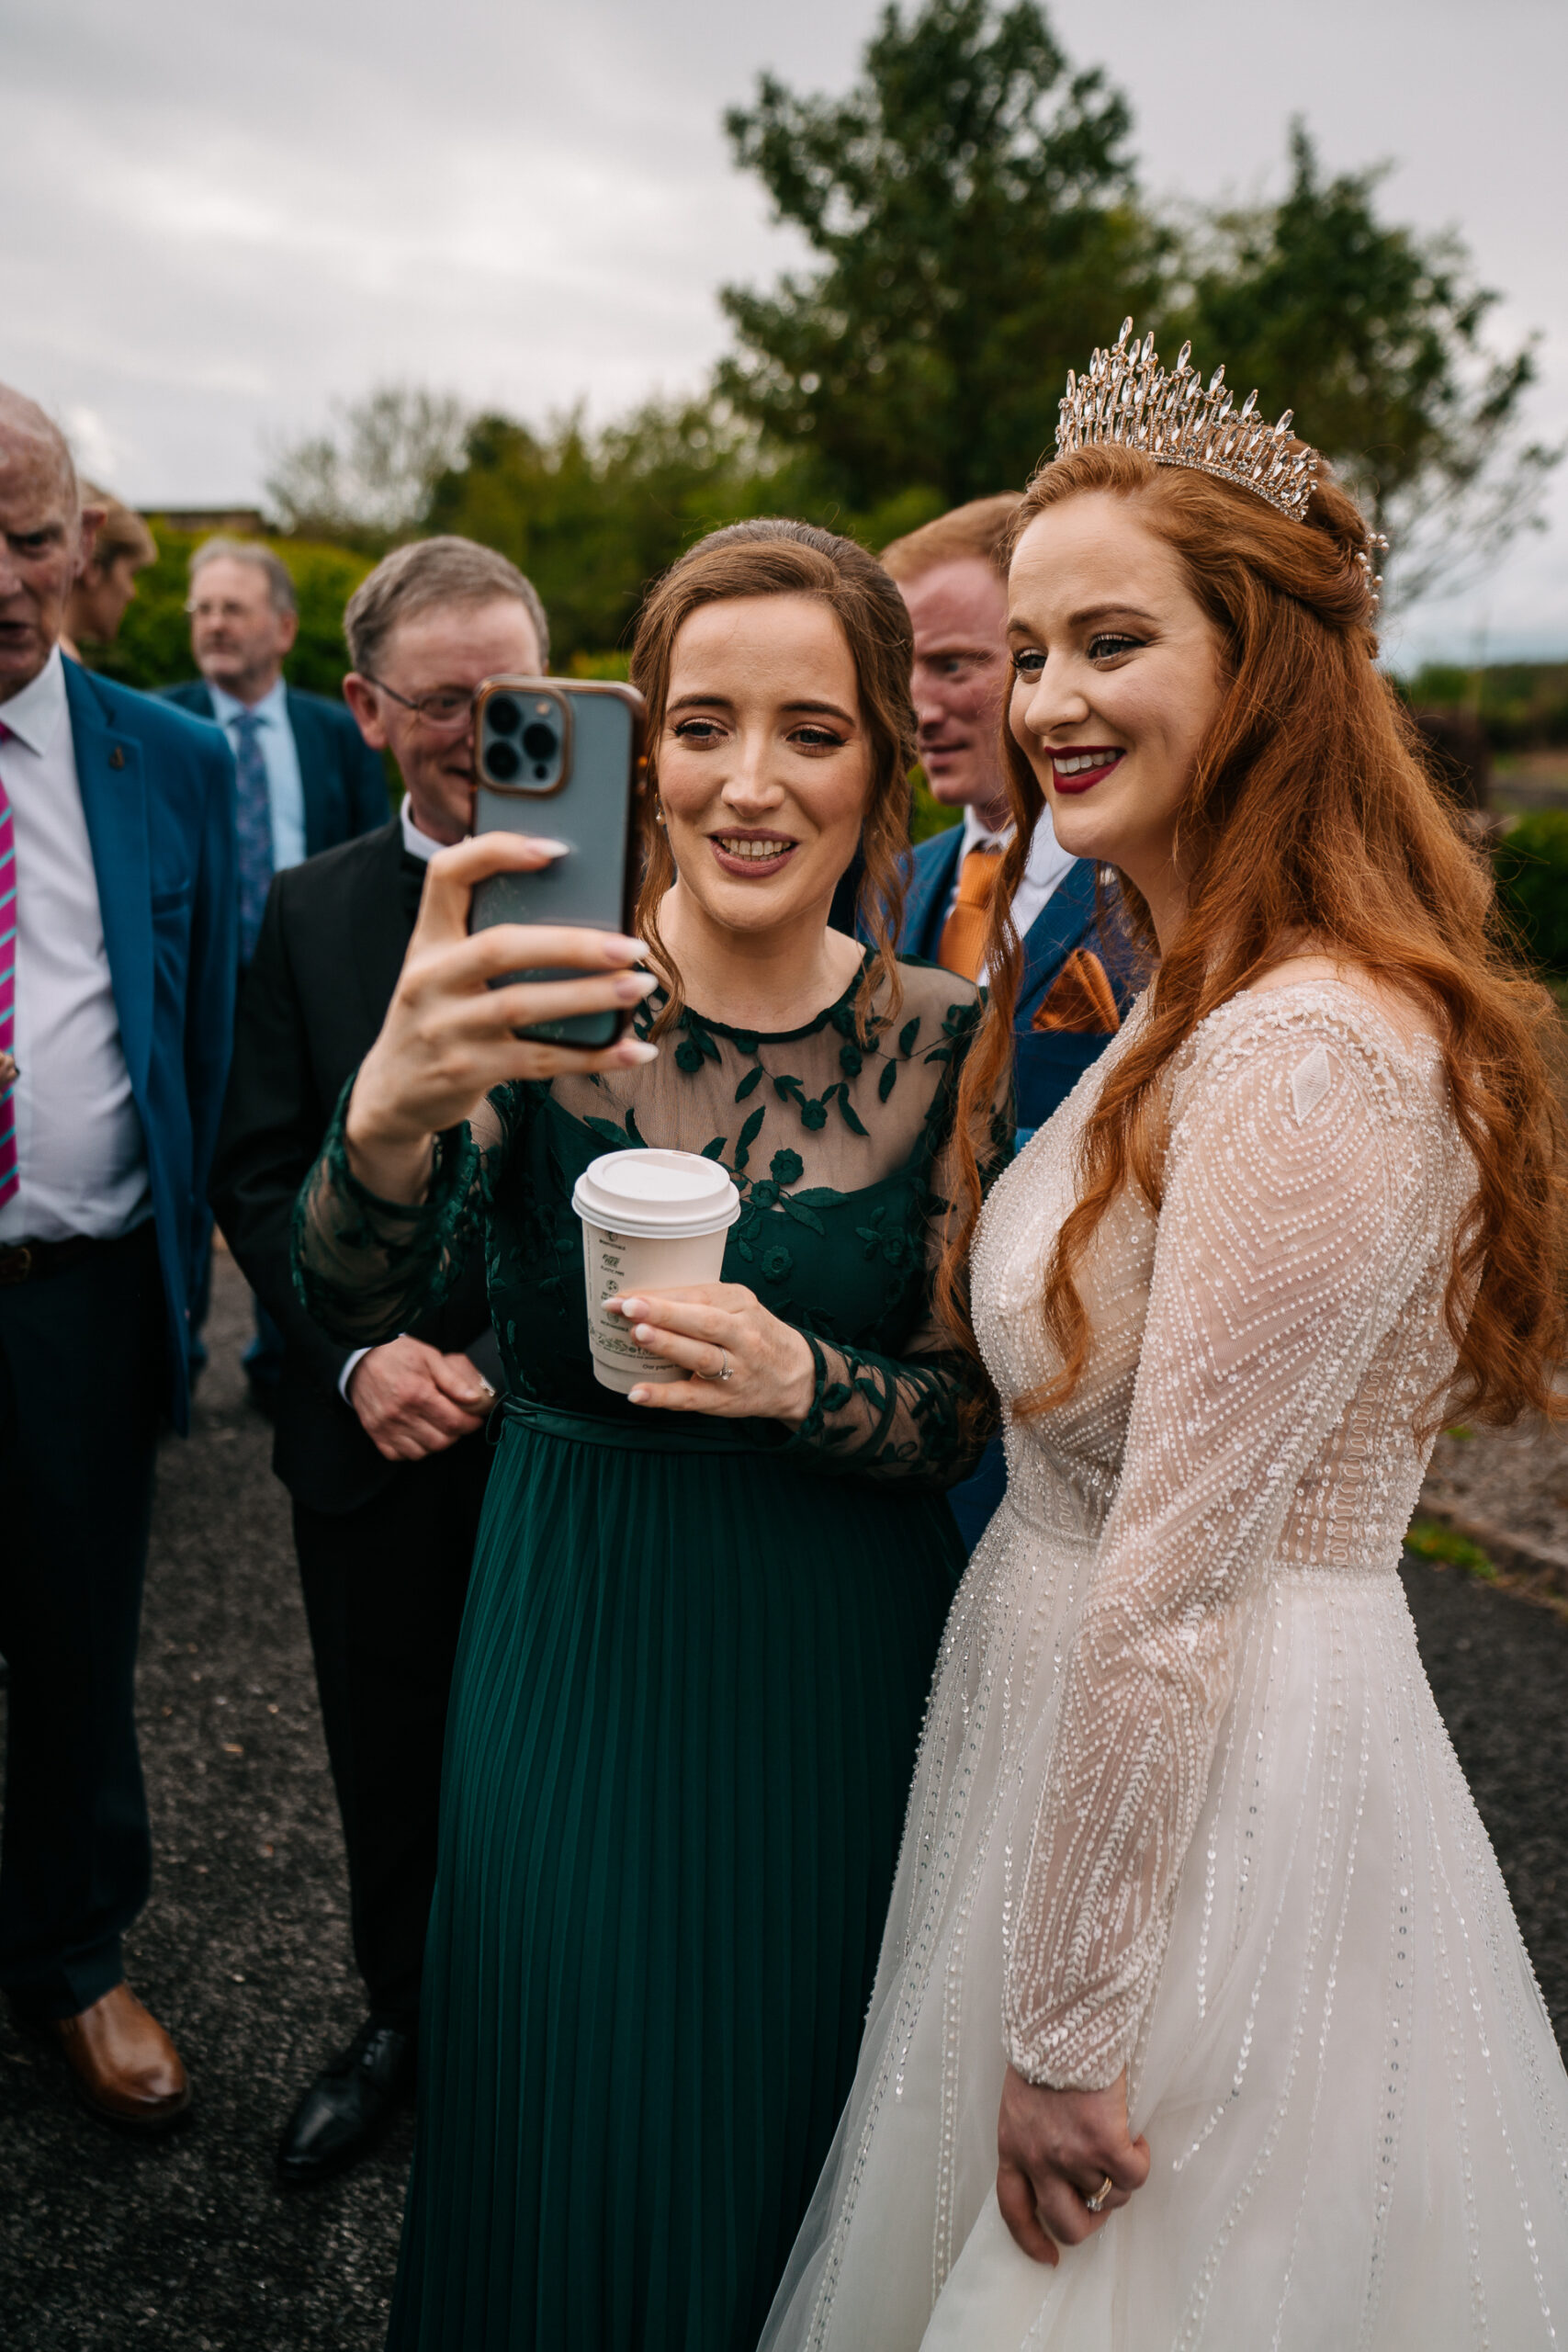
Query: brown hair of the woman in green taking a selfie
{"type": "Point", "coordinates": [796, 559]}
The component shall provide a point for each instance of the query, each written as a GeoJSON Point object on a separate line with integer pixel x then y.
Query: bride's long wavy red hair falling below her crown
{"type": "Point", "coordinates": [1311, 822]}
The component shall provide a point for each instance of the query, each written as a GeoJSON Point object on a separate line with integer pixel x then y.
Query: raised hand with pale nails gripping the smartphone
{"type": "Point", "coordinates": [448, 1036]}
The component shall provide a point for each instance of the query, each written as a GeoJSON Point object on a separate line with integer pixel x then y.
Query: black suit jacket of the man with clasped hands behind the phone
{"type": "Point", "coordinates": [328, 958]}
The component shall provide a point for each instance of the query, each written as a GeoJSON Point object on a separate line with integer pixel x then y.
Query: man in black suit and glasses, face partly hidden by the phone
{"type": "Point", "coordinates": [384, 1448]}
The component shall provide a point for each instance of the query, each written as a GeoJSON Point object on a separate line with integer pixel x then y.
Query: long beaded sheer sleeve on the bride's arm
{"type": "Point", "coordinates": [1292, 1231]}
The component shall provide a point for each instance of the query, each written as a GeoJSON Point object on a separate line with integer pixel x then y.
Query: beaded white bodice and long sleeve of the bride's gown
{"type": "Point", "coordinates": [1261, 1354]}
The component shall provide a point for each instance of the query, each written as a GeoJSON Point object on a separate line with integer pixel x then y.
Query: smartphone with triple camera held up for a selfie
{"type": "Point", "coordinates": [563, 756]}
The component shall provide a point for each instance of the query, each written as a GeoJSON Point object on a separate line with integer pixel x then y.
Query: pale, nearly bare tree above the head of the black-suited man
{"type": "Point", "coordinates": [370, 483]}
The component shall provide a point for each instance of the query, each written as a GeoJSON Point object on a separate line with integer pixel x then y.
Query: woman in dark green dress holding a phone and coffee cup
{"type": "Point", "coordinates": [704, 1619]}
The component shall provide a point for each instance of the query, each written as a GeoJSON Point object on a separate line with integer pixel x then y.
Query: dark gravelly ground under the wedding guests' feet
{"type": "Point", "coordinates": [112, 2245]}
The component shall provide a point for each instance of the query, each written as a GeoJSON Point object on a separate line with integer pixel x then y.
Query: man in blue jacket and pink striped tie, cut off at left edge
{"type": "Point", "coordinates": [116, 1015]}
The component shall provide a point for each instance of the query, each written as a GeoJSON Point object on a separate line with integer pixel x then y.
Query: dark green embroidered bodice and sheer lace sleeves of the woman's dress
{"type": "Point", "coordinates": [840, 1144]}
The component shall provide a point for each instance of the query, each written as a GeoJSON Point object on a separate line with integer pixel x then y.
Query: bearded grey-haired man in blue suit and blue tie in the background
{"type": "Point", "coordinates": [304, 777]}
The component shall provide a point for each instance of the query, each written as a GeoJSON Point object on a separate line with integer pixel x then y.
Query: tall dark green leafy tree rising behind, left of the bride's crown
{"type": "Point", "coordinates": [974, 208]}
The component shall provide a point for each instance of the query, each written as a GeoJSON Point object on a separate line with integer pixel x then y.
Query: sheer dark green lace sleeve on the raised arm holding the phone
{"type": "Point", "coordinates": [366, 1269]}
